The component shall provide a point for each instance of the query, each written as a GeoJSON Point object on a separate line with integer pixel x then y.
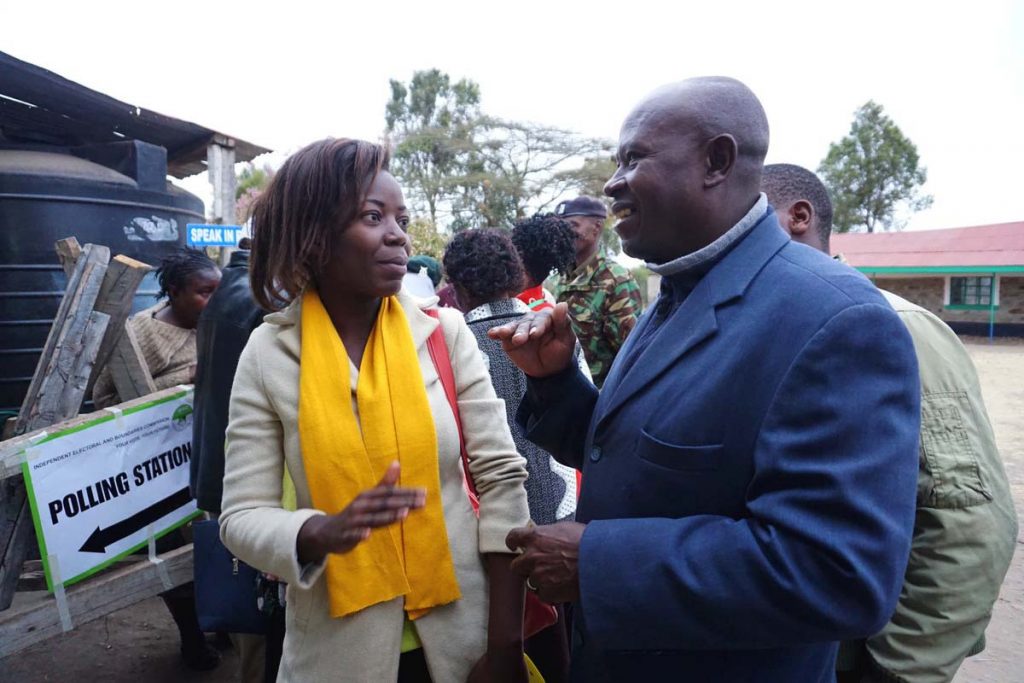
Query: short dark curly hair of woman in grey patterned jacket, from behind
{"type": "Point", "coordinates": [485, 264]}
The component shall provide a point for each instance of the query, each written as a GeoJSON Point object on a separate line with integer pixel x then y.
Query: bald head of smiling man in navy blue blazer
{"type": "Point", "coordinates": [690, 166]}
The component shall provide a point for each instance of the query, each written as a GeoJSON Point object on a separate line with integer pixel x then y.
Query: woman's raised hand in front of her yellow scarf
{"type": "Point", "coordinates": [381, 506]}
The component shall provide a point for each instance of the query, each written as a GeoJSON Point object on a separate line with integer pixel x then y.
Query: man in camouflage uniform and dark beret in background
{"type": "Point", "coordinates": [604, 300]}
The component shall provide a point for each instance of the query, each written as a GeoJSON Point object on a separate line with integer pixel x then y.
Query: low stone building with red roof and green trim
{"type": "Point", "coordinates": [972, 278]}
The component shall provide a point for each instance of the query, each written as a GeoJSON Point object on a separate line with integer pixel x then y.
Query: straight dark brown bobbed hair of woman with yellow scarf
{"type": "Point", "coordinates": [317, 193]}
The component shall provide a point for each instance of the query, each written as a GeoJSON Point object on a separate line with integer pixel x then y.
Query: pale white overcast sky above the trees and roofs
{"type": "Point", "coordinates": [281, 77]}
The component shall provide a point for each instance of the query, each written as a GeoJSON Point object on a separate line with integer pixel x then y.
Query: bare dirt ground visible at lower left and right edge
{"type": "Point", "coordinates": [141, 643]}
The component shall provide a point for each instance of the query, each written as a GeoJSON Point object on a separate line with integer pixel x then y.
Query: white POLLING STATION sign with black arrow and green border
{"type": "Point", "coordinates": [99, 490]}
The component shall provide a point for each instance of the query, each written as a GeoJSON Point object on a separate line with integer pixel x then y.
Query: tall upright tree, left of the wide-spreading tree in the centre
{"type": "Point", "coordinates": [432, 123]}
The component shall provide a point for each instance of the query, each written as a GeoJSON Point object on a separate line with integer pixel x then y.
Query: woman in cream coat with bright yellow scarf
{"type": "Point", "coordinates": [392, 576]}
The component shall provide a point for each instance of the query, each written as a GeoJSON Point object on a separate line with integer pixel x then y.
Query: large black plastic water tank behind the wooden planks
{"type": "Point", "coordinates": [114, 195]}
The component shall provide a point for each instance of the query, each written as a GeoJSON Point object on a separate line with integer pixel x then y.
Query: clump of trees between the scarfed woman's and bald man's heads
{"type": "Point", "coordinates": [465, 169]}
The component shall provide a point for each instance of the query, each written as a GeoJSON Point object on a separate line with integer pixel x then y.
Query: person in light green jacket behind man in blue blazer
{"type": "Point", "coordinates": [966, 527]}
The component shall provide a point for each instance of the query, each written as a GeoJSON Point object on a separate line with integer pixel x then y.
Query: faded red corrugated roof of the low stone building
{"type": "Point", "coordinates": [1001, 245]}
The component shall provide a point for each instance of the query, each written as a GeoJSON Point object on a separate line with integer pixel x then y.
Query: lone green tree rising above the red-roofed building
{"type": "Point", "coordinates": [874, 174]}
